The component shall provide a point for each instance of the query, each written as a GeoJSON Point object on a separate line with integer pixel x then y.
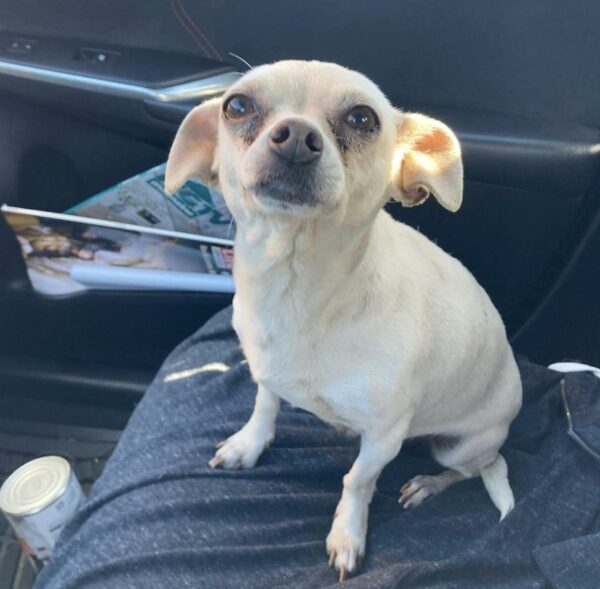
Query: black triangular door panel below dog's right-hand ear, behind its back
{"type": "Point", "coordinates": [499, 236]}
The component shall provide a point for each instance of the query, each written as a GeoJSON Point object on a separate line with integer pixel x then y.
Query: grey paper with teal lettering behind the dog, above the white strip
{"type": "Point", "coordinates": [142, 200]}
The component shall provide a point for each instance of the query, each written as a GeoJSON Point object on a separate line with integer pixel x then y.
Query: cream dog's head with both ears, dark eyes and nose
{"type": "Point", "coordinates": [307, 139]}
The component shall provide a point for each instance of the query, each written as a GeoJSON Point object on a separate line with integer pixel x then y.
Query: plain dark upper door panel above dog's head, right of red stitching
{"type": "Point", "coordinates": [531, 57]}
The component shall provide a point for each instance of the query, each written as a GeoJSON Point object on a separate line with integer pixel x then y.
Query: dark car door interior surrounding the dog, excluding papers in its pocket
{"type": "Point", "coordinates": [92, 93]}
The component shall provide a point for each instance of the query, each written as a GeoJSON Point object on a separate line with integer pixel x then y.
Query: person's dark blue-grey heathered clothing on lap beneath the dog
{"type": "Point", "coordinates": [159, 517]}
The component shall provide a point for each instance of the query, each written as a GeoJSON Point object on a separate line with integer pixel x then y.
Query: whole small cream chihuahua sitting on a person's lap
{"type": "Point", "coordinates": [341, 310]}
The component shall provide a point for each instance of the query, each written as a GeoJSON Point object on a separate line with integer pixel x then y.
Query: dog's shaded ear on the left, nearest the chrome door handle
{"type": "Point", "coordinates": [193, 152]}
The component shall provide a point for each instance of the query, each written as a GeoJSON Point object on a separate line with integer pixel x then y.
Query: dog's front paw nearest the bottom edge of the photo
{"type": "Point", "coordinates": [346, 545]}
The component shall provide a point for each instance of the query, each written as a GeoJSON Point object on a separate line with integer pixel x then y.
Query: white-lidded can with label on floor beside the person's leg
{"type": "Point", "coordinates": [38, 499]}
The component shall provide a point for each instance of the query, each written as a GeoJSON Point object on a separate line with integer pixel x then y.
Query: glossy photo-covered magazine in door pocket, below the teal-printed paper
{"type": "Point", "coordinates": [65, 254]}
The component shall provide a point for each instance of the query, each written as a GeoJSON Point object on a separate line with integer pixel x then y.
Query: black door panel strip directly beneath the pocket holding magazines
{"type": "Point", "coordinates": [120, 329]}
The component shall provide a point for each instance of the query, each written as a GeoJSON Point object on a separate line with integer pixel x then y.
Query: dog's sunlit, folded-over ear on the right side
{"type": "Point", "coordinates": [427, 161]}
